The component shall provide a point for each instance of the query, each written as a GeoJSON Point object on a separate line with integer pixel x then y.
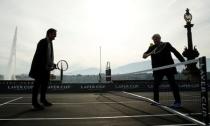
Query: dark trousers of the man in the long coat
{"type": "Point", "coordinates": [42, 85]}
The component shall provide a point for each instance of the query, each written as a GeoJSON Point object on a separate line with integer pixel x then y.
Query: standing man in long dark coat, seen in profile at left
{"type": "Point", "coordinates": [42, 64]}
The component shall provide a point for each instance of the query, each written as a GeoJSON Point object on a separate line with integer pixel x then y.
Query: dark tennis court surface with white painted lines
{"type": "Point", "coordinates": [93, 109]}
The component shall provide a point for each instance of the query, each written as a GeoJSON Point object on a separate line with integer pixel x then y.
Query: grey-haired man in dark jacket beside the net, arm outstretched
{"type": "Point", "coordinates": [162, 57]}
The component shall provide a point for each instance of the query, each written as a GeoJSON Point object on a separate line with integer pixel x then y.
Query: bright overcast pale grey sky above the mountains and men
{"type": "Point", "coordinates": [123, 28]}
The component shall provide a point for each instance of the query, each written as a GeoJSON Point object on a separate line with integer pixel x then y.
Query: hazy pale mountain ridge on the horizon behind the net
{"type": "Point", "coordinates": [128, 68]}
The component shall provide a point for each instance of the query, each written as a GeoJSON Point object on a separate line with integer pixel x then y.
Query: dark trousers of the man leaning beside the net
{"type": "Point", "coordinates": [171, 79]}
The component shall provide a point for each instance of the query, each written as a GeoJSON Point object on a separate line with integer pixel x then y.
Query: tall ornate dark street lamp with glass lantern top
{"type": "Point", "coordinates": [190, 52]}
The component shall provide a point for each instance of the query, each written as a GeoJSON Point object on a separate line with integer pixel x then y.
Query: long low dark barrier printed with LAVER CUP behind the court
{"type": "Point", "coordinates": [25, 86]}
